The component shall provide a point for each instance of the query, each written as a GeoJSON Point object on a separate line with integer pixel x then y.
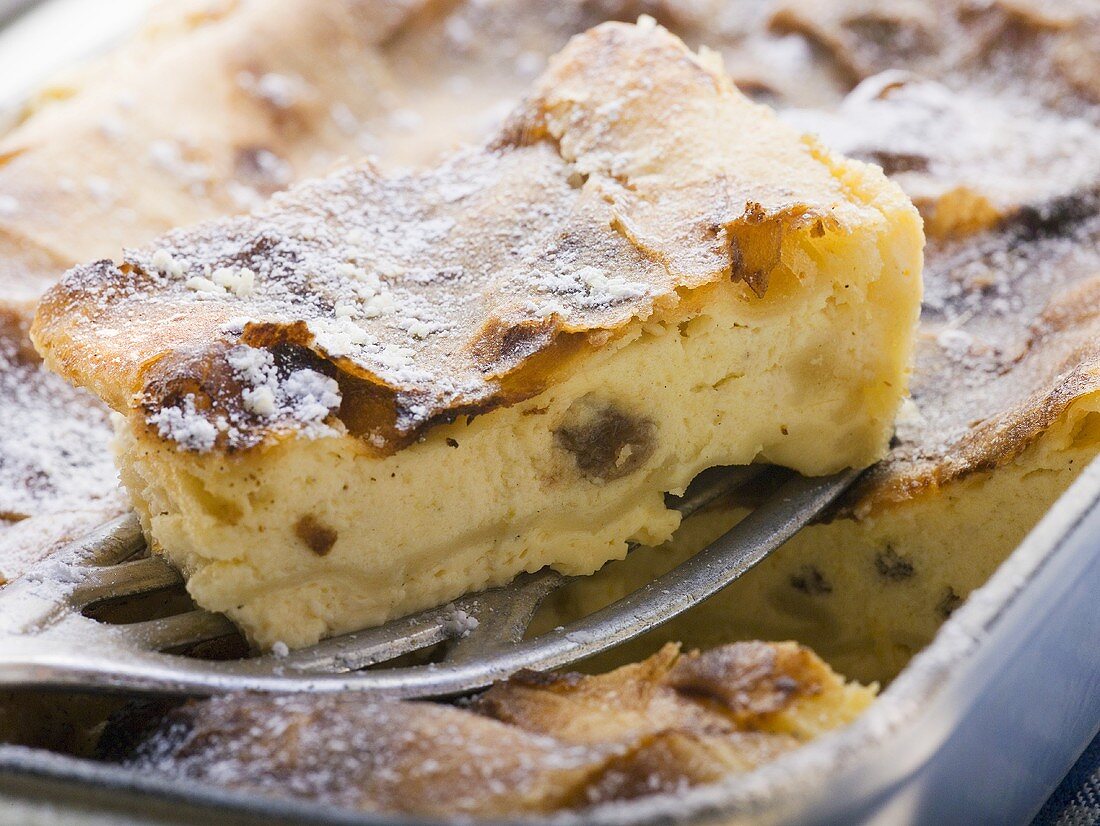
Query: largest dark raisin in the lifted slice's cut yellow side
{"type": "Point", "coordinates": [606, 442]}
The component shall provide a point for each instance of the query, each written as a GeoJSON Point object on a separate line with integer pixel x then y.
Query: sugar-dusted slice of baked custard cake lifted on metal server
{"type": "Point", "coordinates": [388, 389]}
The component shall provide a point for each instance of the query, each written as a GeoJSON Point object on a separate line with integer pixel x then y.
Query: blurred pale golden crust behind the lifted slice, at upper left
{"type": "Point", "coordinates": [214, 106]}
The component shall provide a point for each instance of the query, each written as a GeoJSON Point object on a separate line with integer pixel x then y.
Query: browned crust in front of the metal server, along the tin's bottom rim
{"type": "Point", "coordinates": [534, 744]}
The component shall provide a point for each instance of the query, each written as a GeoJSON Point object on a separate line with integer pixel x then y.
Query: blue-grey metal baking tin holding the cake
{"type": "Point", "coordinates": [978, 729]}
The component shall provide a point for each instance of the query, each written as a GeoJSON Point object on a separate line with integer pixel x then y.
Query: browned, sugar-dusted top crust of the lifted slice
{"type": "Point", "coordinates": [634, 171]}
